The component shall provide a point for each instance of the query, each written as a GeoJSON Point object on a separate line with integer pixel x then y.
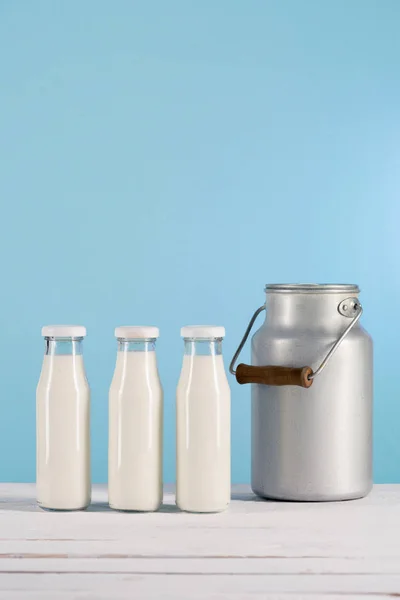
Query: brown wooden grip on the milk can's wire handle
{"type": "Point", "coordinates": [274, 375]}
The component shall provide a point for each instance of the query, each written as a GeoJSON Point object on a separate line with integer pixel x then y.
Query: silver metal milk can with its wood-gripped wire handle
{"type": "Point", "coordinates": [312, 394]}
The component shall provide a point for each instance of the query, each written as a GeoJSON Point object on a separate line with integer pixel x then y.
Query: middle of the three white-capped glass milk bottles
{"type": "Point", "coordinates": [135, 423]}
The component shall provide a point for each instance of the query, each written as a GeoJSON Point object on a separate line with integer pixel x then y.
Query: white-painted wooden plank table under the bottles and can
{"type": "Point", "coordinates": [256, 549]}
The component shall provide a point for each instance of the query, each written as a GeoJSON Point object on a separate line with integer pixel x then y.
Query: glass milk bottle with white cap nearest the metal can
{"type": "Point", "coordinates": [203, 409]}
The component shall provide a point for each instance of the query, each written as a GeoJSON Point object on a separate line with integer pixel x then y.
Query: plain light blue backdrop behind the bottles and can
{"type": "Point", "coordinates": [160, 161]}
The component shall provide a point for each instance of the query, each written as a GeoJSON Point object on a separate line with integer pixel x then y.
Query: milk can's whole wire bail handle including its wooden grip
{"type": "Point", "coordinates": [300, 376]}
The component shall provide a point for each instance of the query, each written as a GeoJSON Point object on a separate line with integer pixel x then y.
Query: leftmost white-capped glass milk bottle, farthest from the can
{"type": "Point", "coordinates": [63, 422]}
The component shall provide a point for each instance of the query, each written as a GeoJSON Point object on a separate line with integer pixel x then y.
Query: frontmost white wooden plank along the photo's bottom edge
{"type": "Point", "coordinates": [176, 587]}
